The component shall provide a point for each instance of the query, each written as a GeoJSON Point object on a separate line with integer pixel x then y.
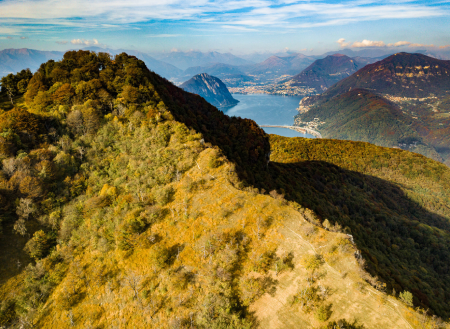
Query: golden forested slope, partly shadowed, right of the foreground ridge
{"type": "Point", "coordinates": [393, 202]}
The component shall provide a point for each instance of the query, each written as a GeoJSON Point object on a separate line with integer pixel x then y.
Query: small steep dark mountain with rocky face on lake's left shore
{"type": "Point", "coordinates": [212, 89]}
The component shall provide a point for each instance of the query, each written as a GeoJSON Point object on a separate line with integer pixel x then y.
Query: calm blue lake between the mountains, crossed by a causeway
{"type": "Point", "coordinates": [268, 110]}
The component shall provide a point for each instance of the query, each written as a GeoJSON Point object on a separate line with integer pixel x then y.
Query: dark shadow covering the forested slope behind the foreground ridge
{"type": "Point", "coordinates": [385, 224]}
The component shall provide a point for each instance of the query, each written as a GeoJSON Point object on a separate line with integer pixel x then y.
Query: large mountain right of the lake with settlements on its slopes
{"type": "Point", "coordinates": [401, 101]}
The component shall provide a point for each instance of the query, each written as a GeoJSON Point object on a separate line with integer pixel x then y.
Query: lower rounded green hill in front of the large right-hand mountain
{"type": "Point", "coordinates": [360, 115]}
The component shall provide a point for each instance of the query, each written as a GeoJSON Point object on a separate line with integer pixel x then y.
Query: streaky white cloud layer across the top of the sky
{"type": "Point", "coordinates": [246, 15]}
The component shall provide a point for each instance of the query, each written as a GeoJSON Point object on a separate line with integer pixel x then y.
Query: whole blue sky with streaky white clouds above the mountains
{"type": "Point", "coordinates": [311, 27]}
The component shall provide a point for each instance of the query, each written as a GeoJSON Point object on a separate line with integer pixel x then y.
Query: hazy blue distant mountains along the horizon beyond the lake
{"type": "Point", "coordinates": [233, 70]}
